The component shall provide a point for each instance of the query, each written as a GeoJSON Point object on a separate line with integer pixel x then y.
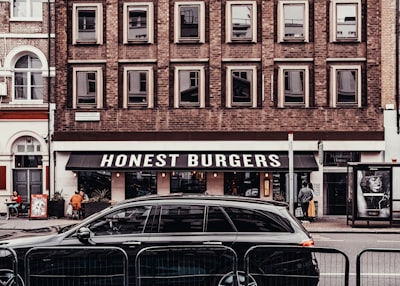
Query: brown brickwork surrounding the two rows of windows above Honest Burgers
{"type": "Point", "coordinates": [215, 53]}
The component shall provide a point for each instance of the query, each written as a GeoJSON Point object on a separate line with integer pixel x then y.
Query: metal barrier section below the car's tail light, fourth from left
{"type": "Point", "coordinates": [295, 265]}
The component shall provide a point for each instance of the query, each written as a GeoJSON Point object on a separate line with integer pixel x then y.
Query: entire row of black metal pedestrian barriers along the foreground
{"type": "Point", "coordinates": [196, 265]}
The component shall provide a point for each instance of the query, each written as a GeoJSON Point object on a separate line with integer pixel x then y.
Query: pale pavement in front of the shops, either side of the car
{"type": "Point", "coordinates": [324, 224]}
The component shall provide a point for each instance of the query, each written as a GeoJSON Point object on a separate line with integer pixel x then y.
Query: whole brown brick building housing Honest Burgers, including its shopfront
{"type": "Point", "coordinates": [227, 80]}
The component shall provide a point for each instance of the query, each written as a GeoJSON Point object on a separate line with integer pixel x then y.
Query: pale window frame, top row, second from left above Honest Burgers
{"type": "Point", "coordinates": [149, 23]}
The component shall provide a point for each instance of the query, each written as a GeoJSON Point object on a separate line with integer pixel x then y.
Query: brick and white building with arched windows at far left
{"type": "Point", "coordinates": [27, 72]}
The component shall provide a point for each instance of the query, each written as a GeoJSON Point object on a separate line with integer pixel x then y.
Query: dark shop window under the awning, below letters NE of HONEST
{"type": "Point", "coordinates": [140, 184]}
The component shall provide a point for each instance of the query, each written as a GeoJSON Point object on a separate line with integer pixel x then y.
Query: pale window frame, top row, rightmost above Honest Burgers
{"type": "Point", "coordinates": [333, 18]}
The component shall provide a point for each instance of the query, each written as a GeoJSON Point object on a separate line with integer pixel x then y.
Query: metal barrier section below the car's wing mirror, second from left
{"type": "Point", "coordinates": [73, 266]}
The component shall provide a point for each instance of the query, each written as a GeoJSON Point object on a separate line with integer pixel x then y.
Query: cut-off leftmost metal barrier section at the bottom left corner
{"type": "Point", "coordinates": [9, 267]}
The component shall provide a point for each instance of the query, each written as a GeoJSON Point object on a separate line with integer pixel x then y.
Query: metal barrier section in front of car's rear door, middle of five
{"type": "Point", "coordinates": [195, 265]}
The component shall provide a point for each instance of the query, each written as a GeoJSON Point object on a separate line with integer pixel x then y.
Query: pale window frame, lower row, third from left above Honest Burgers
{"type": "Point", "coordinates": [201, 85]}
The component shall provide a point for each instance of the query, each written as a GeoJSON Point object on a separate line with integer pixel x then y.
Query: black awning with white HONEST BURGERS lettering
{"type": "Point", "coordinates": [211, 161]}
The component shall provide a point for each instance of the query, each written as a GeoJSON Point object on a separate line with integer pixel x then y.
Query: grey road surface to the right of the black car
{"type": "Point", "coordinates": [354, 243]}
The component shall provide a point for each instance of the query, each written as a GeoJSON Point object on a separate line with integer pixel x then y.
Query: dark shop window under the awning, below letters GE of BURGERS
{"type": "Point", "coordinates": [245, 184]}
